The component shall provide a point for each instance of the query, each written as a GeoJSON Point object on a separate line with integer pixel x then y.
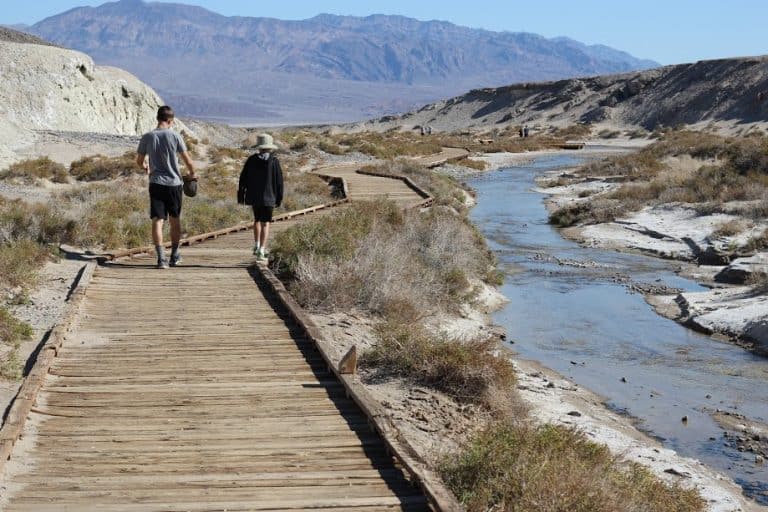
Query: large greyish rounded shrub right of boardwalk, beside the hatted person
{"type": "Point", "coordinates": [374, 257]}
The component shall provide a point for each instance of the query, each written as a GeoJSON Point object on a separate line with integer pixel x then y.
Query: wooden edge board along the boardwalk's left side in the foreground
{"type": "Point", "coordinates": [24, 400]}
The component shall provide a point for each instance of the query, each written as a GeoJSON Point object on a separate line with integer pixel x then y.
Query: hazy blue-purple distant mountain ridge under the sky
{"type": "Point", "coordinates": [324, 64]}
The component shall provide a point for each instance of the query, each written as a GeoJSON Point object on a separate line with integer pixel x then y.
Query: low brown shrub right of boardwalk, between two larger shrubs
{"type": "Point", "coordinates": [468, 371]}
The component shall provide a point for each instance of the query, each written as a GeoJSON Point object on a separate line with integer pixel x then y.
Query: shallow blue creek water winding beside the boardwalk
{"type": "Point", "coordinates": [571, 310]}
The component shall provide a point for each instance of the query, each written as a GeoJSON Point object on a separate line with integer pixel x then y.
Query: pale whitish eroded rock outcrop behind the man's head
{"type": "Point", "coordinates": [51, 88]}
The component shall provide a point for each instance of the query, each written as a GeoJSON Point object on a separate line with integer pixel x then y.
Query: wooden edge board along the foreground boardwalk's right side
{"type": "Point", "coordinates": [429, 482]}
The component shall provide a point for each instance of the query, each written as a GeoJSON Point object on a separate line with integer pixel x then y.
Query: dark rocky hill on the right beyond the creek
{"type": "Point", "coordinates": [727, 92]}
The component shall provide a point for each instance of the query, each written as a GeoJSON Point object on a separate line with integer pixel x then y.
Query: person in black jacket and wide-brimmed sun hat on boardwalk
{"type": "Point", "coordinates": [261, 186]}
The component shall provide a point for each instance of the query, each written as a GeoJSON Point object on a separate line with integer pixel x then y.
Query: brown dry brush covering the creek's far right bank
{"type": "Point", "coordinates": [731, 169]}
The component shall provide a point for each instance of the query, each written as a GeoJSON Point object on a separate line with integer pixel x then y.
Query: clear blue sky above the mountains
{"type": "Point", "coordinates": [668, 31]}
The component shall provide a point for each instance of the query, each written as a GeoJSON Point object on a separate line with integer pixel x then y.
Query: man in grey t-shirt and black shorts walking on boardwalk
{"type": "Point", "coordinates": [162, 145]}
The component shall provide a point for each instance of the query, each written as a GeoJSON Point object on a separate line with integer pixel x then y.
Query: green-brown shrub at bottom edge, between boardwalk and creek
{"type": "Point", "coordinates": [512, 466]}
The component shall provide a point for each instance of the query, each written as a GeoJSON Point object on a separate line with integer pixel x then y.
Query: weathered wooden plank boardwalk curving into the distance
{"type": "Point", "coordinates": [193, 389]}
